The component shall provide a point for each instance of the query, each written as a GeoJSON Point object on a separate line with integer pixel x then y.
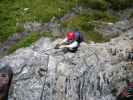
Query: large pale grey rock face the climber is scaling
{"type": "Point", "coordinates": [94, 72]}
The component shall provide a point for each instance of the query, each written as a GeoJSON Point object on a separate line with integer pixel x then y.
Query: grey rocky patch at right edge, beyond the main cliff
{"type": "Point", "coordinates": [116, 29]}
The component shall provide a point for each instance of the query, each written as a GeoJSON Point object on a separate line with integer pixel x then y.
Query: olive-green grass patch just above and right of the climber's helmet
{"type": "Point", "coordinates": [85, 22]}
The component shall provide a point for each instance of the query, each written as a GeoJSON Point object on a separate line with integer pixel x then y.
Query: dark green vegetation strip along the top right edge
{"type": "Point", "coordinates": [105, 4]}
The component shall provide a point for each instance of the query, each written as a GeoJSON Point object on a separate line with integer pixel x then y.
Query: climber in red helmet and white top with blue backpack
{"type": "Point", "coordinates": [71, 42]}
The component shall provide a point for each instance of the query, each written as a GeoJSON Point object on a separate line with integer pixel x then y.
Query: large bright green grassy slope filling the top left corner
{"type": "Point", "coordinates": [20, 11]}
